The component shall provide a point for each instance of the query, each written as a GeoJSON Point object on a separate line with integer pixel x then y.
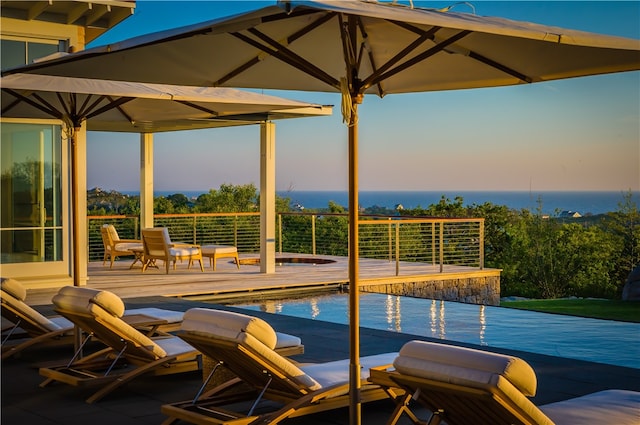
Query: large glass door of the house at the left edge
{"type": "Point", "coordinates": [31, 194]}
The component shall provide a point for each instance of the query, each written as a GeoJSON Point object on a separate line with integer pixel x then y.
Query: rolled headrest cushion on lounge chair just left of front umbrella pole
{"type": "Point", "coordinates": [228, 325]}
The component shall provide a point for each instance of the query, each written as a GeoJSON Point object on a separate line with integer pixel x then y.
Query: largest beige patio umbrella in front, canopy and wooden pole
{"type": "Point", "coordinates": [355, 48]}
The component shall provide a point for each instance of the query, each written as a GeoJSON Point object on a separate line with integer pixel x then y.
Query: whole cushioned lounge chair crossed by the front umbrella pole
{"type": "Point", "coordinates": [264, 380]}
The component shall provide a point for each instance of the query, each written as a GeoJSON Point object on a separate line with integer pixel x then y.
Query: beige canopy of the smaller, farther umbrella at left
{"type": "Point", "coordinates": [141, 107]}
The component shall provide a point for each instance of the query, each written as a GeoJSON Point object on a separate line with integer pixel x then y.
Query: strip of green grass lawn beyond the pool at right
{"type": "Point", "coordinates": [627, 311]}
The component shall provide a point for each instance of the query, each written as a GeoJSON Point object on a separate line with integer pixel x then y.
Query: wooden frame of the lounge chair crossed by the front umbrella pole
{"type": "Point", "coordinates": [261, 375]}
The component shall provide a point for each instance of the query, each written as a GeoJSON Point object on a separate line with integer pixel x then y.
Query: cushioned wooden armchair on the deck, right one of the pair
{"type": "Point", "coordinates": [158, 246]}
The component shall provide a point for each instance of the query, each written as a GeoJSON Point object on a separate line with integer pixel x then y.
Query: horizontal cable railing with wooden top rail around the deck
{"type": "Point", "coordinates": [435, 241]}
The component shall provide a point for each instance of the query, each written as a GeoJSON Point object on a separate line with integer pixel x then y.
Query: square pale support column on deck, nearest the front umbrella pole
{"type": "Point", "coordinates": [267, 197]}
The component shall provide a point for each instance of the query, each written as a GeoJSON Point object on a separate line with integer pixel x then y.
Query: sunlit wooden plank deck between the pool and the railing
{"type": "Point", "coordinates": [229, 281]}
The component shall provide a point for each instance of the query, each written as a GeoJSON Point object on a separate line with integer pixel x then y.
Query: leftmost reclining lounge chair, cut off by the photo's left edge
{"type": "Point", "coordinates": [31, 329]}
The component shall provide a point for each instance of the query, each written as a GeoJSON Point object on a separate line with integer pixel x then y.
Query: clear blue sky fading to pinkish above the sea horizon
{"type": "Point", "coordinates": [576, 134]}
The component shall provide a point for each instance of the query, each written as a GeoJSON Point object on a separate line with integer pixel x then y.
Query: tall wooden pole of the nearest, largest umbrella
{"type": "Point", "coordinates": [354, 290]}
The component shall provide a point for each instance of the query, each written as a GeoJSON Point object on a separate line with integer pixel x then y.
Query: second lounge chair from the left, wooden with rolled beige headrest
{"type": "Point", "coordinates": [129, 353]}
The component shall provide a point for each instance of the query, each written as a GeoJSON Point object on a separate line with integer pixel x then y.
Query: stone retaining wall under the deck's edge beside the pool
{"type": "Point", "coordinates": [472, 290]}
